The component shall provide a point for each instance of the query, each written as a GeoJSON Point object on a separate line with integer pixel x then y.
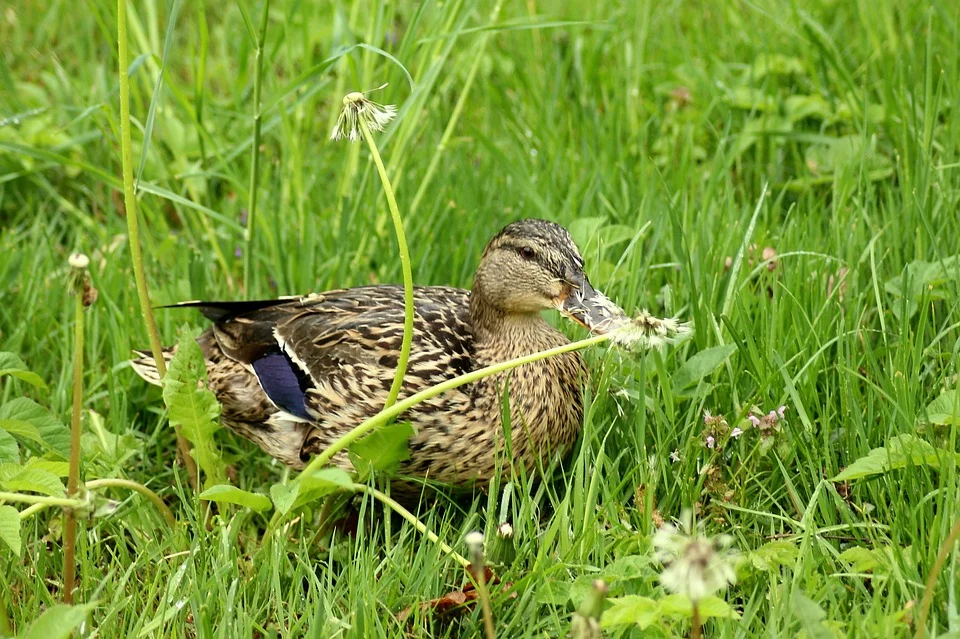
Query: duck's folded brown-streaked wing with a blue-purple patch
{"type": "Point", "coordinates": [342, 342]}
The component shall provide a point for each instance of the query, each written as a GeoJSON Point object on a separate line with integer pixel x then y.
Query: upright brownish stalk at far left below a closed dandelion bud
{"type": "Point", "coordinates": [73, 475]}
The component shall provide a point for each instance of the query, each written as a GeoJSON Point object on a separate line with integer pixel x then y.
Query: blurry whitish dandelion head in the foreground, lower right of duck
{"type": "Point", "coordinates": [694, 565]}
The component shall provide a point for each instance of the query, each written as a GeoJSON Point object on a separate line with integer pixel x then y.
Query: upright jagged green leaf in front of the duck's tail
{"type": "Point", "coordinates": [193, 407]}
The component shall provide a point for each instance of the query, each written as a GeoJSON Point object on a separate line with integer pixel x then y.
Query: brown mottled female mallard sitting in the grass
{"type": "Point", "coordinates": [294, 374]}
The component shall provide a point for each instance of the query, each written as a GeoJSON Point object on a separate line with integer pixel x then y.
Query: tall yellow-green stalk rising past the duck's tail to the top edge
{"type": "Point", "coordinates": [133, 227]}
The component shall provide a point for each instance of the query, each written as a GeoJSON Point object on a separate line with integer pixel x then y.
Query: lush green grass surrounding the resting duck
{"type": "Point", "coordinates": [667, 137]}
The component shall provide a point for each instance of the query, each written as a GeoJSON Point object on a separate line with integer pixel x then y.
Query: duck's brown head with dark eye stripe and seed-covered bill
{"type": "Point", "coordinates": [533, 265]}
